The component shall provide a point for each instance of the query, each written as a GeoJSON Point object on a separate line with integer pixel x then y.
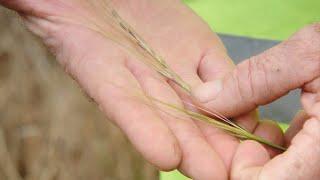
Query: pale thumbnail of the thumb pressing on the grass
{"type": "Point", "coordinates": [208, 91]}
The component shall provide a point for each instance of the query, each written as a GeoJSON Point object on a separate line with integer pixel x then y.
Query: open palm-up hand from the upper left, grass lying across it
{"type": "Point", "coordinates": [110, 74]}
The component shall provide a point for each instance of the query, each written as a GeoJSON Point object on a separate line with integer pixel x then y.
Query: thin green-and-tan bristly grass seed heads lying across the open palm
{"type": "Point", "coordinates": [140, 48]}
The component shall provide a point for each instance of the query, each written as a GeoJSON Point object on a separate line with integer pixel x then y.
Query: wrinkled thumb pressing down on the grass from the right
{"type": "Point", "coordinates": [266, 77]}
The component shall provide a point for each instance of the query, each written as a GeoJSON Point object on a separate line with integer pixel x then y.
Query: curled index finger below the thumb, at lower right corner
{"type": "Point", "coordinates": [251, 161]}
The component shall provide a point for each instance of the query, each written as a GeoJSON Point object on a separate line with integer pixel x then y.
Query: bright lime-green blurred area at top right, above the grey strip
{"type": "Point", "coordinates": [267, 19]}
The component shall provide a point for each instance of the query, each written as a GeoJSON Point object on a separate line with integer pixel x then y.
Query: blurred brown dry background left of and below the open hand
{"type": "Point", "coordinates": [48, 128]}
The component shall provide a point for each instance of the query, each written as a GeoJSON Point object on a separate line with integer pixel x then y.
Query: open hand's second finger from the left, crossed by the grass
{"type": "Point", "coordinates": [199, 160]}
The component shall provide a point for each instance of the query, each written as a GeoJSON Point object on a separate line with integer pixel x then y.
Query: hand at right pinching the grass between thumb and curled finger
{"type": "Point", "coordinates": [292, 64]}
